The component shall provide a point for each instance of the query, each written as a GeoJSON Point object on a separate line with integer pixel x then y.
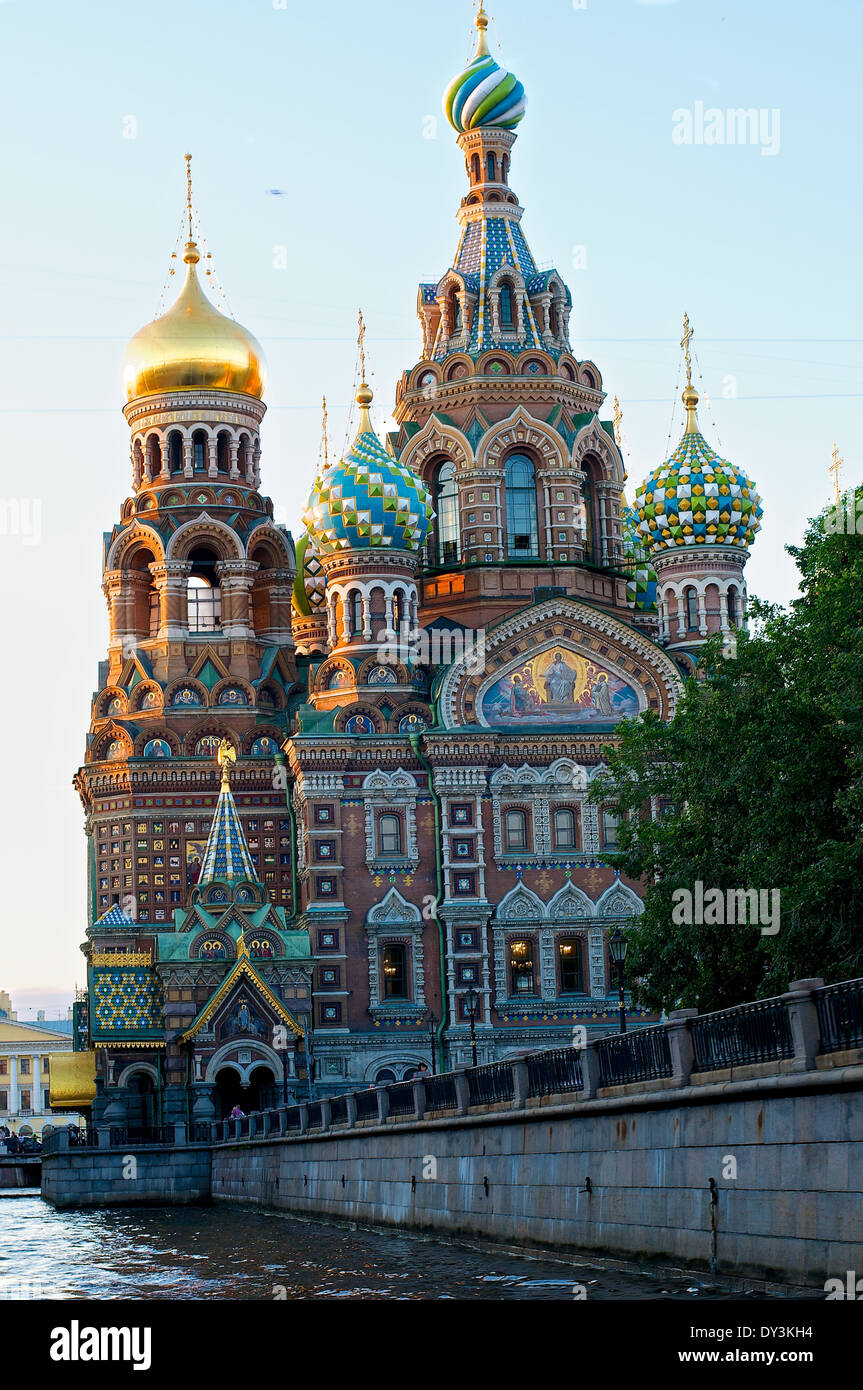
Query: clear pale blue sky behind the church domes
{"type": "Point", "coordinates": [338, 106]}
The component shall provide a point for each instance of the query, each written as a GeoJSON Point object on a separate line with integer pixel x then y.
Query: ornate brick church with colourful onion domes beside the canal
{"type": "Point", "coordinates": [413, 701]}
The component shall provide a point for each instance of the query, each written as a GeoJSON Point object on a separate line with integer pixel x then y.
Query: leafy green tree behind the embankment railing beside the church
{"type": "Point", "coordinates": [761, 783]}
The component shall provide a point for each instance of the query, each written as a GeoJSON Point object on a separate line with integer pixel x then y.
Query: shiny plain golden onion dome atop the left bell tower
{"type": "Point", "coordinates": [194, 347]}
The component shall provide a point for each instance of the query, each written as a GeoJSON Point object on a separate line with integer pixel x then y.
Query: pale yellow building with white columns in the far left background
{"type": "Point", "coordinates": [28, 1056]}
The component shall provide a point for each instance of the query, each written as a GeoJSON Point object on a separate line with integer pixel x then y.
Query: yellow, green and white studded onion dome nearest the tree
{"type": "Point", "coordinates": [697, 498]}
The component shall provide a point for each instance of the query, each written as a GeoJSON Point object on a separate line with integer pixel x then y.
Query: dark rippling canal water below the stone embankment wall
{"type": "Point", "coordinates": [243, 1253]}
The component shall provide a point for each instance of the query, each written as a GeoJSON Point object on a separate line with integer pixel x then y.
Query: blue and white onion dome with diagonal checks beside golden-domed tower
{"type": "Point", "coordinates": [369, 500]}
